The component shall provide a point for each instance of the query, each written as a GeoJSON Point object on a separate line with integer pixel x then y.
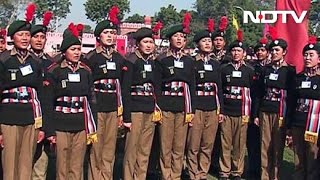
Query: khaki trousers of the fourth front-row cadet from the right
{"type": "Point", "coordinates": [200, 142]}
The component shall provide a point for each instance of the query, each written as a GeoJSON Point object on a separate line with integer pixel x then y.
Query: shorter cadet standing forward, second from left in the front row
{"type": "Point", "coordinates": [72, 124]}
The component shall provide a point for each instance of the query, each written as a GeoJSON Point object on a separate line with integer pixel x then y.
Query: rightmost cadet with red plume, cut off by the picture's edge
{"type": "Point", "coordinates": [304, 123]}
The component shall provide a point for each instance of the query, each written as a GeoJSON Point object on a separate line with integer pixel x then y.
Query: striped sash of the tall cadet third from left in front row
{"type": "Point", "coordinates": [108, 84]}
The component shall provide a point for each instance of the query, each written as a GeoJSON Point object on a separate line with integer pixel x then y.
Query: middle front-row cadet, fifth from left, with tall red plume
{"type": "Point", "coordinates": [178, 90]}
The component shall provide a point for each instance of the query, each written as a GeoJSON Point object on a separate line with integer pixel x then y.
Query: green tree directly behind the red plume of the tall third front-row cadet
{"type": "Point", "coordinates": [97, 10]}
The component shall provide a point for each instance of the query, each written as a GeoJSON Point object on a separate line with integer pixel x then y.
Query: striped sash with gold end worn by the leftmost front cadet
{"type": "Point", "coordinates": [25, 95]}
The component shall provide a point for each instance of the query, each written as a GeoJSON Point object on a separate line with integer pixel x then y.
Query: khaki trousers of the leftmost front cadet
{"type": "Point", "coordinates": [19, 147]}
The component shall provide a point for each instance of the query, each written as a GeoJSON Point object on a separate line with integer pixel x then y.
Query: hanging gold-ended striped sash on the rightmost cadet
{"type": "Point", "coordinates": [313, 125]}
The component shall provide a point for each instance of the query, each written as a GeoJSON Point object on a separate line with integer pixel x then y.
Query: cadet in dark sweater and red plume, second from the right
{"type": "Point", "coordinates": [277, 81]}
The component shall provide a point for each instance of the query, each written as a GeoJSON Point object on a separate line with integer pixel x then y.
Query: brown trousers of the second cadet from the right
{"type": "Point", "coordinates": [272, 145]}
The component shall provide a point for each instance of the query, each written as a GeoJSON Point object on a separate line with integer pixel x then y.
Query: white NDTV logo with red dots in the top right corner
{"type": "Point", "coordinates": [272, 16]}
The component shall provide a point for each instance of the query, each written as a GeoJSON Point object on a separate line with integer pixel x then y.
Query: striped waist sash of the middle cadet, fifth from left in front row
{"type": "Point", "coordinates": [179, 88]}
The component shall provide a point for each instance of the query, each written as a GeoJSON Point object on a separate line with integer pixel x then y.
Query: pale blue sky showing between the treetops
{"type": "Point", "coordinates": [143, 7]}
